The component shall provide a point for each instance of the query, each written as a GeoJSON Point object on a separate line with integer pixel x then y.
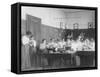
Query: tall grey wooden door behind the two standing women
{"type": "Point", "coordinates": [34, 26]}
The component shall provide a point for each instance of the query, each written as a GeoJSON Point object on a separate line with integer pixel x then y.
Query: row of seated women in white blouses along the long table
{"type": "Point", "coordinates": [68, 46]}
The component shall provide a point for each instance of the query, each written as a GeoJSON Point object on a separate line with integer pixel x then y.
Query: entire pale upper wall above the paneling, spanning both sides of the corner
{"type": "Point", "coordinates": [53, 16]}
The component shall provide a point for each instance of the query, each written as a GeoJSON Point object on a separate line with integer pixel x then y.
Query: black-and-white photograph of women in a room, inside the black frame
{"type": "Point", "coordinates": [57, 38]}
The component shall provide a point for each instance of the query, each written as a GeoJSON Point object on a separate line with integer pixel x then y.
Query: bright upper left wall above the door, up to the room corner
{"type": "Point", "coordinates": [48, 15]}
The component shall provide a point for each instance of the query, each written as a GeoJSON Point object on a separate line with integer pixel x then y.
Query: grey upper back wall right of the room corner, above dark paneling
{"type": "Point", "coordinates": [82, 18]}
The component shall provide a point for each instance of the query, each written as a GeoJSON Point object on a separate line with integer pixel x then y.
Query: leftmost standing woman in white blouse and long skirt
{"type": "Point", "coordinates": [25, 50]}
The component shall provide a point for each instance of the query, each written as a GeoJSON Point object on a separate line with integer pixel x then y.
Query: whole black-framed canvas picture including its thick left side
{"type": "Point", "coordinates": [40, 43]}
